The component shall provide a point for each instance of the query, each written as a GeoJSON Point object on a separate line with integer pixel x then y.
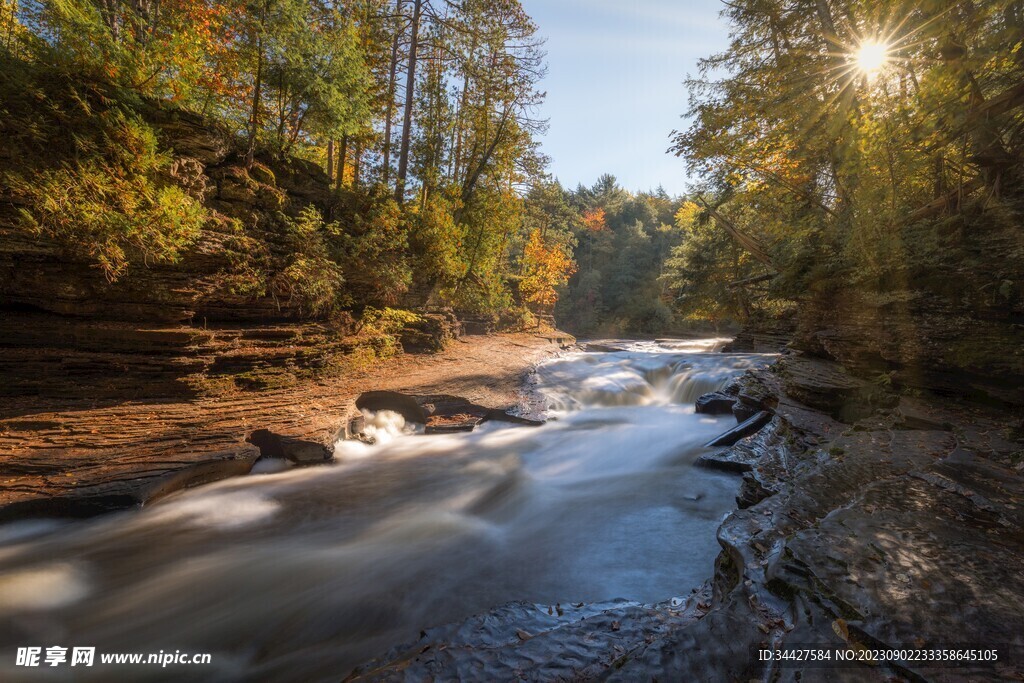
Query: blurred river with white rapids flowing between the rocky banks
{"type": "Point", "coordinates": [304, 574]}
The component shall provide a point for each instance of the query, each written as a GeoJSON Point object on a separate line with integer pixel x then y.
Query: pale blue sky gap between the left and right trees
{"type": "Point", "coordinates": [616, 71]}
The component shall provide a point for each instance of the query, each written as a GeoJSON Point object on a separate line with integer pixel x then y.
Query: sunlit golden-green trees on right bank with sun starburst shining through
{"type": "Point", "coordinates": [835, 161]}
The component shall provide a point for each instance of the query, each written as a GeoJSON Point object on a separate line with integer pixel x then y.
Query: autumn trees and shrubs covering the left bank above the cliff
{"type": "Point", "coordinates": [422, 114]}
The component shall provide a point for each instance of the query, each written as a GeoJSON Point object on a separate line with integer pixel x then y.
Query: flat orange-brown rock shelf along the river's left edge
{"type": "Point", "coordinates": [78, 457]}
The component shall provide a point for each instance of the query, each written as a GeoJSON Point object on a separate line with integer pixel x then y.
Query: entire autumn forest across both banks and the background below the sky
{"type": "Point", "coordinates": [835, 144]}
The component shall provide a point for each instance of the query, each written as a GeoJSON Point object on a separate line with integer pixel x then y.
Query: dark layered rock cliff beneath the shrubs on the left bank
{"type": "Point", "coordinates": [215, 321]}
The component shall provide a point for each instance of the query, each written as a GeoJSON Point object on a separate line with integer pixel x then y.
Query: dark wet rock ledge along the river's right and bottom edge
{"type": "Point", "coordinates": [865, 522]}
